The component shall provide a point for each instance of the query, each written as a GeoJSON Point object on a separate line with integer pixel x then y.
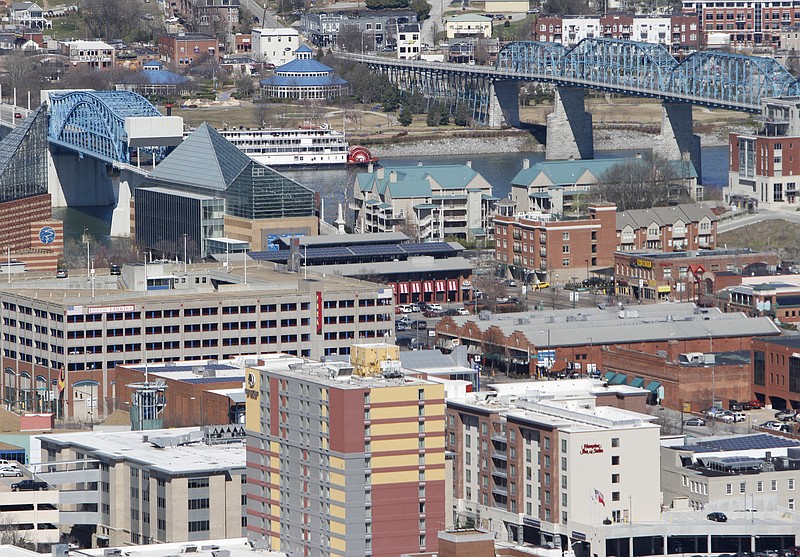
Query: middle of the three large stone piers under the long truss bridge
{"type": "Point", "coordinates": [569, 127]}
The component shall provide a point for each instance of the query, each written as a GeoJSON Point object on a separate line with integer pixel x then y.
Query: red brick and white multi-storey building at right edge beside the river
{"type": "Point", "coordinates": [765, 166]}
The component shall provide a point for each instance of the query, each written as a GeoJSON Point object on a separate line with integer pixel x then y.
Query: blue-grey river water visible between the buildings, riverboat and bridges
{"type": "Point", "coordinates": [335, 183]}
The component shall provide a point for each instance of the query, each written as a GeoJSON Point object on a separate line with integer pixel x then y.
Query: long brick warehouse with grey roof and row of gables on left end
{"type": "Point", "coordinates": [573, 340]}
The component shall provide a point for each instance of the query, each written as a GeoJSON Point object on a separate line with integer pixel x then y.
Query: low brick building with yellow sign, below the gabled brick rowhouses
{"type": "Point", "coordinates": [684, 275]}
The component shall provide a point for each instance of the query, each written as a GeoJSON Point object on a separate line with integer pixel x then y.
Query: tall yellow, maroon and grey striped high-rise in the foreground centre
{"type": "Point", "coordinates": [342, 465]}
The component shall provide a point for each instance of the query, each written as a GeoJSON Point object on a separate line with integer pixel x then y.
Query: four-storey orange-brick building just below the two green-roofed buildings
{"type": "Point", "coordinates": [548, 245]}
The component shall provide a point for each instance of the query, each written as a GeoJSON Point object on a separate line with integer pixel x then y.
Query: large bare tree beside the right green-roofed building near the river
{"type": "Point", "coordinates": [639, 184]}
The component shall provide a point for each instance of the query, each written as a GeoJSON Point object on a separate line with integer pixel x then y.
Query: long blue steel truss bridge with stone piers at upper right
{"type": "Point", "coordinates": [710, 79]}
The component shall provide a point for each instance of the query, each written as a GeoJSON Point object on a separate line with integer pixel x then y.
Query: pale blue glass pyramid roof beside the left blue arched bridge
{"type": "Point", "coordinates": [205, 159]}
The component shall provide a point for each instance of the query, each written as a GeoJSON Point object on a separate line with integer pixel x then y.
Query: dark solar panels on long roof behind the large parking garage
{"type": "Point", "coordinates": [362, 252]}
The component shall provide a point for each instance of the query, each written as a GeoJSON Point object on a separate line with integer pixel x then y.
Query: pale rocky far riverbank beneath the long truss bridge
{"type": "Point", "coordinates": [605, 139]}
